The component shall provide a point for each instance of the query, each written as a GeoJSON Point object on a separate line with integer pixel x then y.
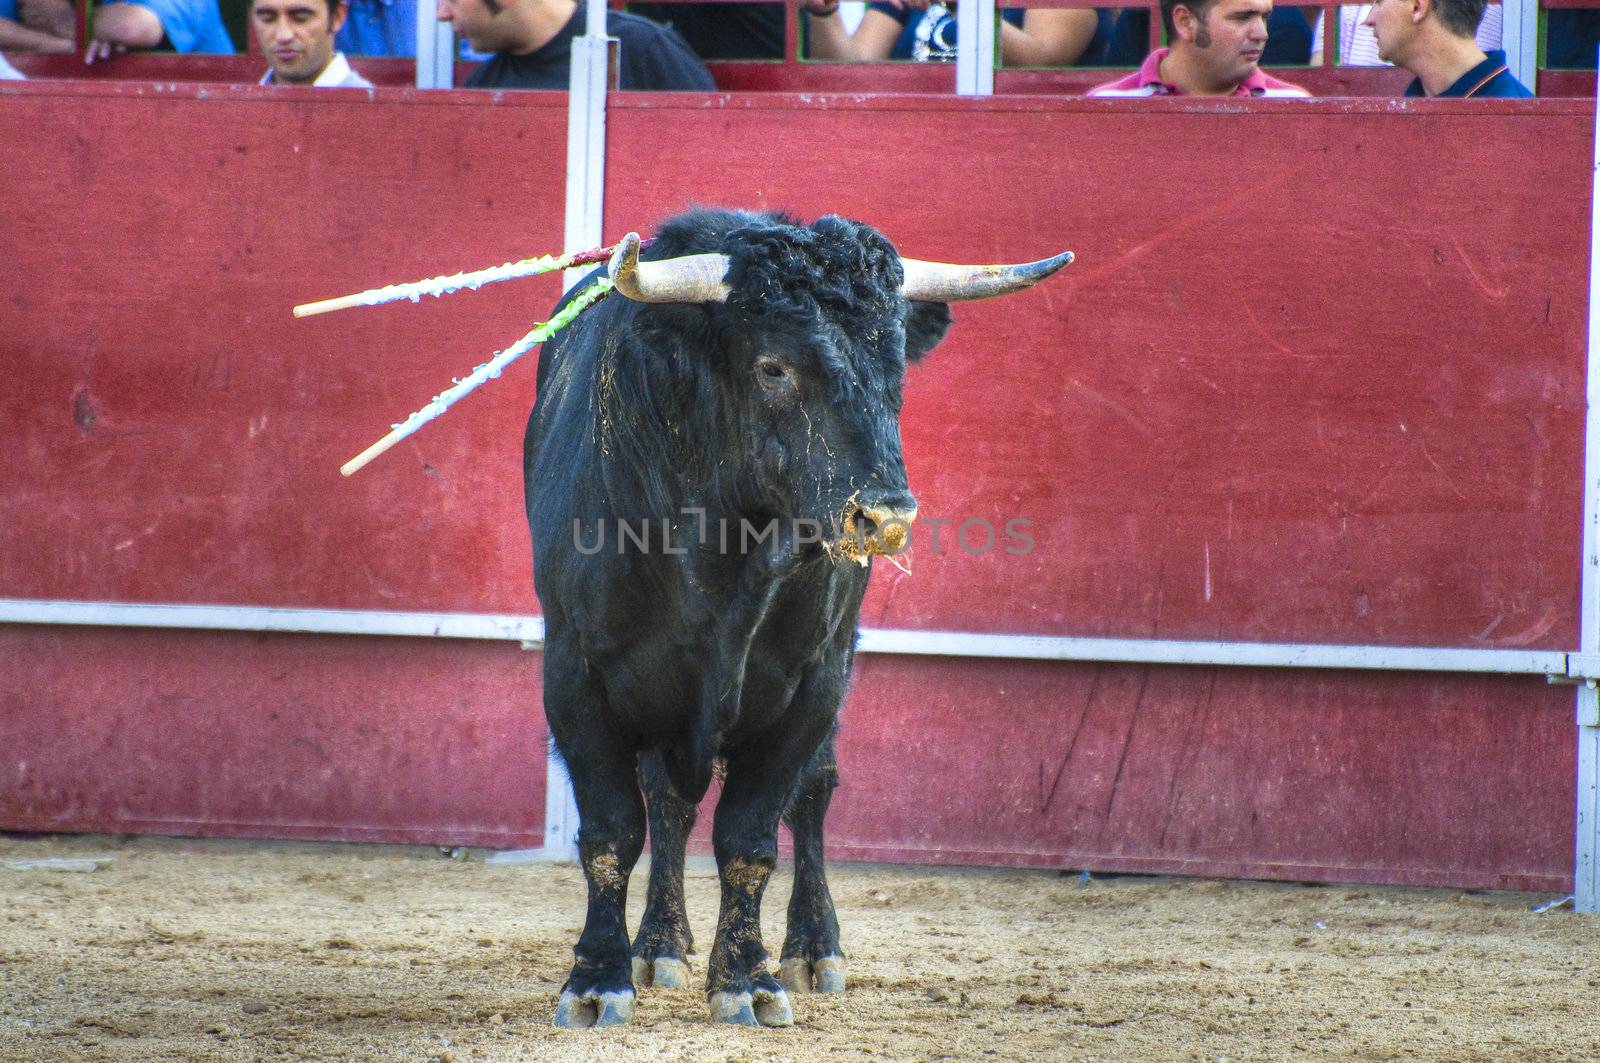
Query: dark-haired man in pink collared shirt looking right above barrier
{"type": "Point", "coordinates": [1217, 52]}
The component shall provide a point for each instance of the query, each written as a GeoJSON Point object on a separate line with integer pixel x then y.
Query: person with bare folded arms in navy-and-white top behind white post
{"type": "Point", "coordinates": [922, 31]}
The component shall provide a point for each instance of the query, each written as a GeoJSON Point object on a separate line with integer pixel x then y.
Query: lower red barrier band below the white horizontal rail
{"type": "Point", "coordinates": [1199, 771]}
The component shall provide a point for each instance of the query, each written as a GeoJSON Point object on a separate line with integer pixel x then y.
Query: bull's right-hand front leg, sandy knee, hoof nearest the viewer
{"type": "Point", "coordinates": [745, 833]}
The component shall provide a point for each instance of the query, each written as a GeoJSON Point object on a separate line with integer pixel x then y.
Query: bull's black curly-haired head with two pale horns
{"type": "Point", "coordinates": [810, 332]}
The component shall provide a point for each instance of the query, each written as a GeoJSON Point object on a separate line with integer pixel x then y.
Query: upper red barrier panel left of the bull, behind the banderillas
{"type": "Point", "coordinates": [183, 431]}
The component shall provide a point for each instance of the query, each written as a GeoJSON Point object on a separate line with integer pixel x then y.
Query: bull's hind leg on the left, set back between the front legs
{"type": "Point", "coordinates": [665, 941]}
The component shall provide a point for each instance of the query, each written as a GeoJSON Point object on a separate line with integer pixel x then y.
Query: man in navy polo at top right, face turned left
{"type": "Point", "coordinates": [1434, 41]}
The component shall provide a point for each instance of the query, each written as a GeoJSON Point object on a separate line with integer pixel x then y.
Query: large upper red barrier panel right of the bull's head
{"type": "Point", "coordinates": [1316, 377]}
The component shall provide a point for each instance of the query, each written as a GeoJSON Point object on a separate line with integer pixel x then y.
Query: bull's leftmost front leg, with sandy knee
{"type": "Point", "coordinates": [599, 990]}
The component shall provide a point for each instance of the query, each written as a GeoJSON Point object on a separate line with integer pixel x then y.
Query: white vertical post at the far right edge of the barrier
{"type": "Point", "coordinates": [1586, 886]}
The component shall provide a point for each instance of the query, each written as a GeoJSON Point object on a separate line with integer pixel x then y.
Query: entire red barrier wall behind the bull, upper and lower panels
{"type": "Point", "coordinates": [1318, 375]}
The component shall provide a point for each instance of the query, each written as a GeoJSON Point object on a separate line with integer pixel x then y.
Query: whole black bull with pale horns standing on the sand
{"type": "Point", "coordinates": [711, 463]}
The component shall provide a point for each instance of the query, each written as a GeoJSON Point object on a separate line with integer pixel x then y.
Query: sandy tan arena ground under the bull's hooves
{"type": "Point", "coordinates": [265, 952]}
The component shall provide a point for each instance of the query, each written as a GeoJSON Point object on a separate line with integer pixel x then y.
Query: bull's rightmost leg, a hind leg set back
{"type": "Point", "coordinates": [812, 958]}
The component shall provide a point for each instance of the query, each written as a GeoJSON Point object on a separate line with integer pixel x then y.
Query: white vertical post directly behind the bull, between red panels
{"type": "Point", "coordinates": [585, 217]}
